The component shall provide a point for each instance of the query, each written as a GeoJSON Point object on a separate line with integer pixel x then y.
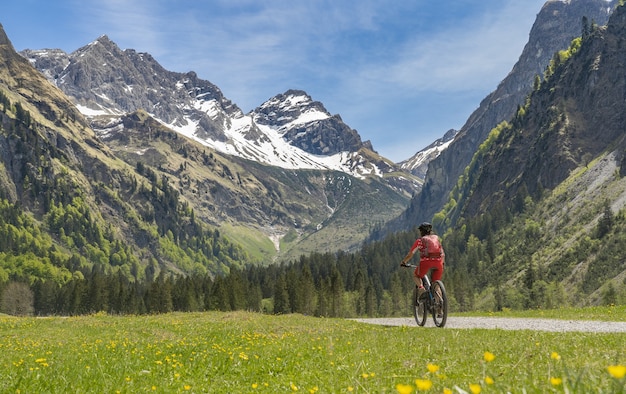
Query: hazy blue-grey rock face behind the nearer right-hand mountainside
{"type": "Point", "coordinates": [556, 25]}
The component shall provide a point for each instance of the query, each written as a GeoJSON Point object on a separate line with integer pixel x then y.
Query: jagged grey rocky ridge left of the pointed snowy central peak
{"type": "Point", "coordinates": [103, 79]}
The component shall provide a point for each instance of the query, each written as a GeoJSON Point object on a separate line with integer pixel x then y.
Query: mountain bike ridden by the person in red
{"type": "Point", "coordinates": [433, 300]}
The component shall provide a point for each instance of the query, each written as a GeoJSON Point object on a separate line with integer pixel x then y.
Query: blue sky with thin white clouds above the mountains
{"type": "Point", "coordinates": [401, 73]}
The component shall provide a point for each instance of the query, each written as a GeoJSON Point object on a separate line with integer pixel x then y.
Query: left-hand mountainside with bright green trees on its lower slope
{"type": "Point", "coordinates": [69, 207]}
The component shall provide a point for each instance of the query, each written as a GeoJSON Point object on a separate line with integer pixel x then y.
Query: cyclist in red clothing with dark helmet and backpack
{"type": "Point", "coordinates": [432, 256]}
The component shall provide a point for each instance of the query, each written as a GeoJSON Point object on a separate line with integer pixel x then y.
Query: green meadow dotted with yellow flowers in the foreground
{"type": "Point", "coordinates": [247, 353]}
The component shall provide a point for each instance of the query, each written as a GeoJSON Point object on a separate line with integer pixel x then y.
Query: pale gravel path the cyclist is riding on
{"type": "Point", "coordinates": [509, 323]}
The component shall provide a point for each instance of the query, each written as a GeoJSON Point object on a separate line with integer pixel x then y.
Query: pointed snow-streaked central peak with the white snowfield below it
{"type": "Point", "coordinates": [288, 131]}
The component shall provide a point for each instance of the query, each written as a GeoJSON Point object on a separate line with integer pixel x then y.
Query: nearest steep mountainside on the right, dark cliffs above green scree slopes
{"type": "Point", "coordinates": [539, 214]}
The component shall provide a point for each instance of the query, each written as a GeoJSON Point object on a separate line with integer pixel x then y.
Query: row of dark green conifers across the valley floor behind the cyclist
{"type": "Point", "coordinates": [369, 282]}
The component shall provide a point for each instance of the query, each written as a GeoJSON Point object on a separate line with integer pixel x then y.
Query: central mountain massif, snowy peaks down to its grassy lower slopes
{"type": "Point", "coordinates": [286, 179]}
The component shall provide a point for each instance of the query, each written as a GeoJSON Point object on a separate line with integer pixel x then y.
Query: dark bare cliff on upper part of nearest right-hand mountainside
{"type": "Point", "coordinates": [578, 113]}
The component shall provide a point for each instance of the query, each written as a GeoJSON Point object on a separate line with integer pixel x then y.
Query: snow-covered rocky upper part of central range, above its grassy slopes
{"type": "Point", "coordinates": [289, 130]}
